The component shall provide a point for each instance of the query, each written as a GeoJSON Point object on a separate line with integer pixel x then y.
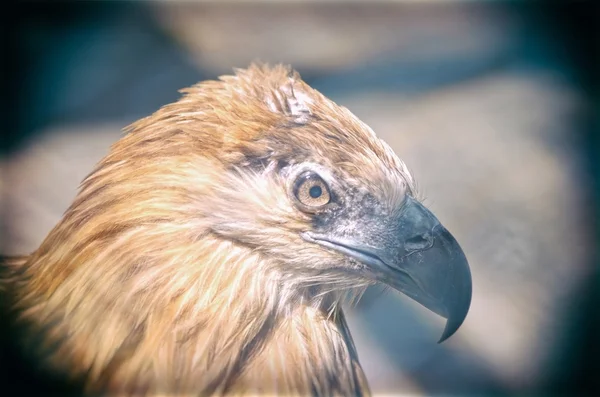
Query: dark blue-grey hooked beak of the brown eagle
{"type": "Point", "coordinates": [422, 260]}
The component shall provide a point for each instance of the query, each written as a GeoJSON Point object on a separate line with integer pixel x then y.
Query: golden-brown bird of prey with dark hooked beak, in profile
{"type": "Point", "coordinates": [210, 251]}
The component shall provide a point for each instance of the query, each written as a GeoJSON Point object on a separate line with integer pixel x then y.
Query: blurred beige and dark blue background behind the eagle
{"type": "Point", "coordinates": [491, 105]}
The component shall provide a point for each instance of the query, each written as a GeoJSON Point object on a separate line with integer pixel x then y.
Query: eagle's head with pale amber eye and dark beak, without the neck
{"type": "Point", "coordinates": [309, 186]}
